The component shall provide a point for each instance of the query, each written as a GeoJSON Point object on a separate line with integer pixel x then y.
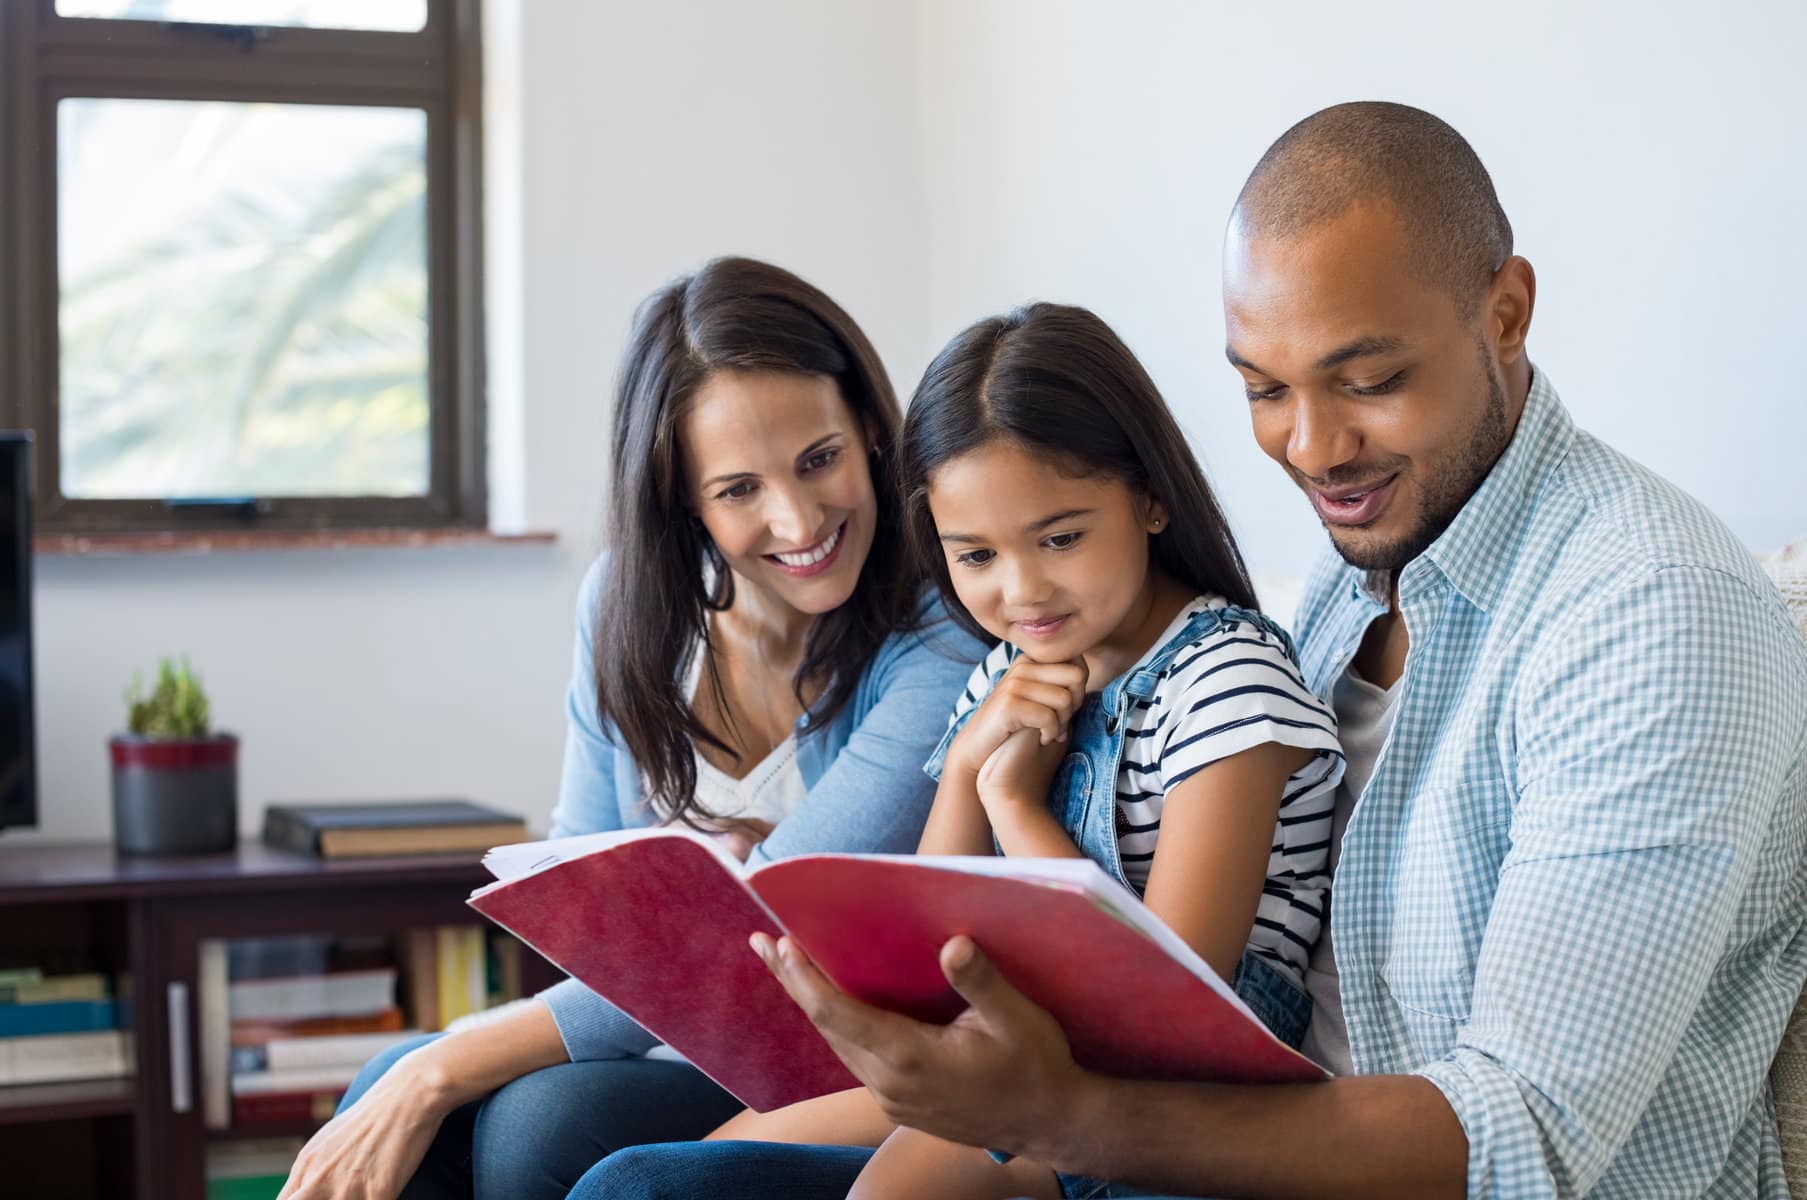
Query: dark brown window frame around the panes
{"type": "Point", "coordinates": [46, 59]}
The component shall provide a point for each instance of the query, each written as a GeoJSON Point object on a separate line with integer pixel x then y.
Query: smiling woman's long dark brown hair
{"type": "Point", "coordinates": [666, 574]}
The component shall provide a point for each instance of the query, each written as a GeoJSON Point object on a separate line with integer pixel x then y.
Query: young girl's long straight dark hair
{"type": "Point", "coordinates": [1056, 380]}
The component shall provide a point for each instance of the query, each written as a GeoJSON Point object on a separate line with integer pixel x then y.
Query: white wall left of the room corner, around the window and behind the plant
{"type": "Point", "coordinates": [648, 136]}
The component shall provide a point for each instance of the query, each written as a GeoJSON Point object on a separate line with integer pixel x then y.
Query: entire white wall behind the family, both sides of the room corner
{"type": "Point", "coordinates": [930, 162]}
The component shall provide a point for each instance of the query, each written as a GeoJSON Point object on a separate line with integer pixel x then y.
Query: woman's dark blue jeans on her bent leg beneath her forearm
{"type": "Point", "coordinates": [534, 1138]}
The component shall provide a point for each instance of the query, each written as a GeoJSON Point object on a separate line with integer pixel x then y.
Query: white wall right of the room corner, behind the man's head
{"type": "Point", "coordinates": [1649, 156]}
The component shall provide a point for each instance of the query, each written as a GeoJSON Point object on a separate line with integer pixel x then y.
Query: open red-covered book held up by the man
{"type": "Point", "coordinates": [657, 921]}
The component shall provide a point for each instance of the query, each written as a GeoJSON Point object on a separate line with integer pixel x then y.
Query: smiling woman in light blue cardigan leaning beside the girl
{"type": "Point", "coordinates": [754, 657]}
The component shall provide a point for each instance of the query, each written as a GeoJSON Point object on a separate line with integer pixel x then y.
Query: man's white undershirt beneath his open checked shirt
{"type": "Point", "coordinates": [1365, 718]}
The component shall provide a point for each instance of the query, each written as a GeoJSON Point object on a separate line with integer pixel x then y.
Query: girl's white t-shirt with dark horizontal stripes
{"type": "Point", "coordinates": [1226, 691]}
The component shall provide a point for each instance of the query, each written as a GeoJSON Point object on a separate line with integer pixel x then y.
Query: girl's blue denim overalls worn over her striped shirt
{"type": "Point", "coordinates": [1083, 796]}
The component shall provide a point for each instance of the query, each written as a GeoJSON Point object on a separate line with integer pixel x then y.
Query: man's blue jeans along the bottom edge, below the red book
{"type": "Point", "coordinates": [751, 1172]}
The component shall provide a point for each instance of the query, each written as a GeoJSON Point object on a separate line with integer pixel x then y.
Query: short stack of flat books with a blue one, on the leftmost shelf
{"type": "Point", "coordinates": [59, 1029]}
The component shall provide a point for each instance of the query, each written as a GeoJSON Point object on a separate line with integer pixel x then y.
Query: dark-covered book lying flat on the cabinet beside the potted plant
{"type": "Point", "coordinates": [389, 829]}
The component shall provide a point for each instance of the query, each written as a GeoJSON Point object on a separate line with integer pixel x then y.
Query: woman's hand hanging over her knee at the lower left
{"type": "Point", "coordinates": [371, 1150]}
